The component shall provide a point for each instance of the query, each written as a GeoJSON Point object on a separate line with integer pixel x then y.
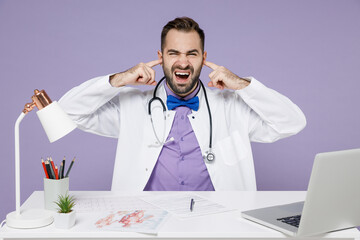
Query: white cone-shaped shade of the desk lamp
{"type": "Point", "coordinates": [55, 121]}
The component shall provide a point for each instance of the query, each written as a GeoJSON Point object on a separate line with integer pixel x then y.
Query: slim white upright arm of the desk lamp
{"type": "Point", "coordinates": [17, 162]}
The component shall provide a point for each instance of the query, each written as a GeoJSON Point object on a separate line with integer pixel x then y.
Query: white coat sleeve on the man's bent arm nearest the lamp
{"type": "Point", "coordinates": [94, 106]}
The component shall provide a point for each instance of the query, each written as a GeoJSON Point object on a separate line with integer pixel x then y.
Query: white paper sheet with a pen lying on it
{"type": "Point", "coordinates": [179, 204]}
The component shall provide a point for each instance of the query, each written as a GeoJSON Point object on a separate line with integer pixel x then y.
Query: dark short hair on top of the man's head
{"type": "Point", "coordinates": [185, 24]}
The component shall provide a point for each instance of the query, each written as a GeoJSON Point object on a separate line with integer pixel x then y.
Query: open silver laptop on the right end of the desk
{"type": "Point", "coordinates": [332, 200]}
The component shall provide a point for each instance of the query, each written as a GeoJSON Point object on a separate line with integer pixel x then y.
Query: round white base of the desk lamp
{"type": "Point", "coordinates": [30, 218]}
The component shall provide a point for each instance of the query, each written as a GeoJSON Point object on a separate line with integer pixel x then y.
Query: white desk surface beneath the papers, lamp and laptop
{"type": "Point", "coordinates": [227, 225]}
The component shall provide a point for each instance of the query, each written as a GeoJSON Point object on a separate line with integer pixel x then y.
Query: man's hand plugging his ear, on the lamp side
{"type": "Point", "coordinates": [141, 74]}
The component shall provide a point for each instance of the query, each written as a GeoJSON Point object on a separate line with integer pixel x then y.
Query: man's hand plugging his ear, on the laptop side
{"type": "Point", "coordinates": [223, 78]}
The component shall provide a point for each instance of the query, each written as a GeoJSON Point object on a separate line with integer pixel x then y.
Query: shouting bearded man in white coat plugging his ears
{"type": "Point", "coordinates": [169, 150]}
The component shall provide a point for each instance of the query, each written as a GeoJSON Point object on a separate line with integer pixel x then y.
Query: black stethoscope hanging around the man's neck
{"type": "Point", "coordinates": [210, 156]}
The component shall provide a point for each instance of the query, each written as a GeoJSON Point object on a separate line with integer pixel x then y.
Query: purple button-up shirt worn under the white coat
{"type": "Point", "coordinates": [180, 166]}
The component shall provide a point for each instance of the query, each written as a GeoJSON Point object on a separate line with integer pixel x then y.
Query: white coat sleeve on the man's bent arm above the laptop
{"type": "Point", "coordinates": [272, 116]}
